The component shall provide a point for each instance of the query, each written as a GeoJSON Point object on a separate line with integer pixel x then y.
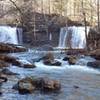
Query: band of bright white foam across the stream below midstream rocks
{"type": "Point", "coordinates": [66, 66]}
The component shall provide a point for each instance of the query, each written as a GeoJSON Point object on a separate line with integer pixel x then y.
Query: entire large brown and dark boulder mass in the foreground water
{"type": "Point", "coordinates": [28, 85]}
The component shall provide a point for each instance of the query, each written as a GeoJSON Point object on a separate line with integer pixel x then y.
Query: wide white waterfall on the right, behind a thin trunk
{"type": "Point", "coordinates": [73, 37]}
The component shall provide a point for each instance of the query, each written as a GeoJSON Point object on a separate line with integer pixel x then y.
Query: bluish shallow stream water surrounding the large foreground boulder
{"type": "Point", "coordinates": [87, 79]}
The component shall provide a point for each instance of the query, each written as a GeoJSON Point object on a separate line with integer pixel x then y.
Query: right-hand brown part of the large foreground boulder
{"type": "Point", "coordinates": [46, 84]}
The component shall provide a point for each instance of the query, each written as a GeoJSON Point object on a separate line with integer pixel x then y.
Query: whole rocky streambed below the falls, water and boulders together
{"type": "Point", "coordinates": [72, 79]}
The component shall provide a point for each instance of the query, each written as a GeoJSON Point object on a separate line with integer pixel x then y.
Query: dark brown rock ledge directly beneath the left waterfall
{"type": "Point", "coordinates": [11, 48]}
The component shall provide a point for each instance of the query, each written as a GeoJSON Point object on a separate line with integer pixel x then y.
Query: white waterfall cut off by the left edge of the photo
{"type": "Point", "coordinates": [11, 35]}
